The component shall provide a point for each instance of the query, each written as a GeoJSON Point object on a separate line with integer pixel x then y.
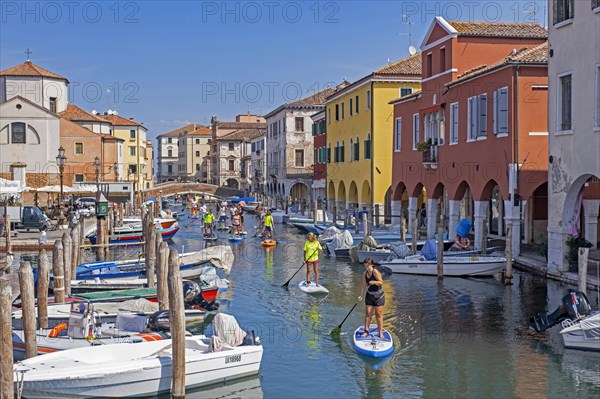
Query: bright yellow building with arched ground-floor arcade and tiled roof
{"type": "Point", "coordinates": [360, 136]}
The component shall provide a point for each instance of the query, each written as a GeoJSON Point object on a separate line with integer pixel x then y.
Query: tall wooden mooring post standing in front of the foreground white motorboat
{"type": "Point", "coordinates": [177, 320]}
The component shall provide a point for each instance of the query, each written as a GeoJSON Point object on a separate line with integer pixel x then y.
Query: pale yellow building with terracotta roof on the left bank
{"type": "Point", "coordinates": [135, 157]}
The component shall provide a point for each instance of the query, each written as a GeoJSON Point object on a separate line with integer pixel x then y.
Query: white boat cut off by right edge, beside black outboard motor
{"type": "Point", "coordinates": [582, 333]}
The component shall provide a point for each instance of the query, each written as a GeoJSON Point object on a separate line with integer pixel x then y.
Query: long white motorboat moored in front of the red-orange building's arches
{"type": "Point", "coordinates": [455, 266]}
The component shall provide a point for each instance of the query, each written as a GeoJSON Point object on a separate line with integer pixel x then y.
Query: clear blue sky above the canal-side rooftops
{"type": "Point", "coordinates": [170, 63]}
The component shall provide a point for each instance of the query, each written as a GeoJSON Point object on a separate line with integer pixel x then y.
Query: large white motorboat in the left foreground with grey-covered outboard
{"type": "Point", "coordinates": [136, 369]}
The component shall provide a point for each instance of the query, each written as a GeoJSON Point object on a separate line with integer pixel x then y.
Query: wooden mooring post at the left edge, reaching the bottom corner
{"type": "Point", "coordinates": [6, 356]}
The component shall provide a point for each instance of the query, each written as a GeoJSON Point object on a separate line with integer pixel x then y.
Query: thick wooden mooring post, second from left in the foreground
{"type": "Point", "coordinates": [28, 308]}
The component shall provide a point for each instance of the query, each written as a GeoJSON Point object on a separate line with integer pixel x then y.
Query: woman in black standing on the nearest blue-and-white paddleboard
{"type": "Point", "coordinates": [374, 297]}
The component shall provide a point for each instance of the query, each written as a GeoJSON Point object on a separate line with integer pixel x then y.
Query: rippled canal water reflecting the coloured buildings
{"type": "Point", "coordinates": [460, 337]}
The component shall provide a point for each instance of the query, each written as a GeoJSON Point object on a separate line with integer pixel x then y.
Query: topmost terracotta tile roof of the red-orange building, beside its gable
{"type": "Point", "coordinates": [499, 29]}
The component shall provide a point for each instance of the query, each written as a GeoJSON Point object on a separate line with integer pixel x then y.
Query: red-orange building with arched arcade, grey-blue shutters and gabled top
{"type": "Point", "coordinates": [473, 142]}
